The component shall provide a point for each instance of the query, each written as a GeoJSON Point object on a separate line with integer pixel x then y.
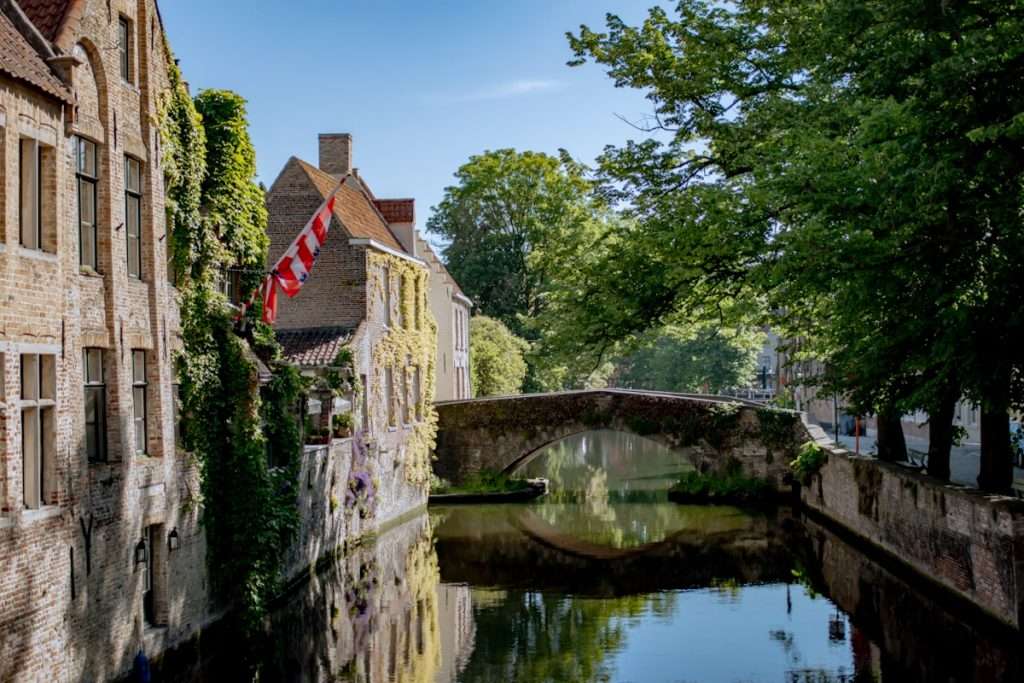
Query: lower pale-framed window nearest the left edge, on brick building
{"type": "Point", "coordinates": [38, 428]}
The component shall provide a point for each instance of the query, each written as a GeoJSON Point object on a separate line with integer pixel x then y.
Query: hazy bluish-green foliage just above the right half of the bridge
{"type": "Point", "coordinates": [705, 360]}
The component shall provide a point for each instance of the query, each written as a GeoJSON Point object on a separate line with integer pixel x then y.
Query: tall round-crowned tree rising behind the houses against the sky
{"type": "Point", "coordinates": [509, 215]}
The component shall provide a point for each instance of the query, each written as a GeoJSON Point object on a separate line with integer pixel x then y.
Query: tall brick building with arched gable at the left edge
{"type": "Point", "coordinates": [99, 527]}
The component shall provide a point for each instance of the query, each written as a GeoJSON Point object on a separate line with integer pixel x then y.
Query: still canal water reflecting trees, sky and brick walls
{"type": "Point", "coordinates": [606, 580]}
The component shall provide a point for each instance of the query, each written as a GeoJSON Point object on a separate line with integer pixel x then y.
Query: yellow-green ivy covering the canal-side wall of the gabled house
{"type": "Point", "coordinates": [415, 337]}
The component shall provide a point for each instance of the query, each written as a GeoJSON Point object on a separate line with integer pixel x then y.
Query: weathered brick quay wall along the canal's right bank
{"type": "Point", "coordinates": [969, 542]}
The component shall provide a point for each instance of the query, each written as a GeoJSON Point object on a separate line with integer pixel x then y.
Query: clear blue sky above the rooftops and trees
{"type": "Point", "coordinates": [422, 86]}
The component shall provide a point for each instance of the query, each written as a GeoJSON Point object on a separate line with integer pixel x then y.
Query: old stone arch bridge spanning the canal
{"type": "Point", "coordinates": [504, 434]}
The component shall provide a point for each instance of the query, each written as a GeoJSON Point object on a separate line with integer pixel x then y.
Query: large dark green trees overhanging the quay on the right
{"type": "Point", "coordinates": [854, 168]}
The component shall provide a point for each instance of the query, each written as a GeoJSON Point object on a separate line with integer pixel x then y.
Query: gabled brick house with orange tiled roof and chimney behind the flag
{"type": "Point", "coordinates": [371, 291]}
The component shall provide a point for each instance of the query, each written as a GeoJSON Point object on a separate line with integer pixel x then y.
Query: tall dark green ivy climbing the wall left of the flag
{"type": "Point", "coordinates": [218, 221]}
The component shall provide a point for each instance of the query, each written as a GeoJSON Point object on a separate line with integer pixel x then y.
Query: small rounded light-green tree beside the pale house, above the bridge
{"type": "Point", "coordinates": [497, 365]}
